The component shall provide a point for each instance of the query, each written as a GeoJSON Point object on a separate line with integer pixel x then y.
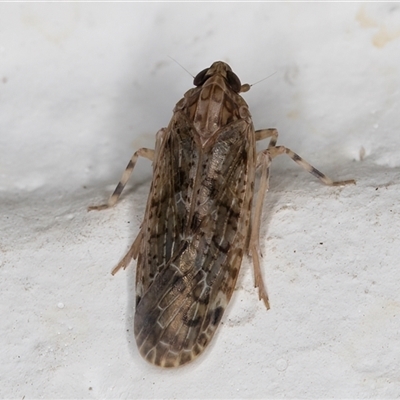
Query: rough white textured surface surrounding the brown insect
{"type": "Point", "coordinates": [84, 85]}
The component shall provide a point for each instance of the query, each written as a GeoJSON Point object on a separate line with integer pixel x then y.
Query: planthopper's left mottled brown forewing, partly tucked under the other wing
{"type": "Point", "coordinates": [166, 211]}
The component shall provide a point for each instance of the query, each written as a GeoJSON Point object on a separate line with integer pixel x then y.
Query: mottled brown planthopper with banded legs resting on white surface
{"type": "Point", "coordinates": [200, 217]}
